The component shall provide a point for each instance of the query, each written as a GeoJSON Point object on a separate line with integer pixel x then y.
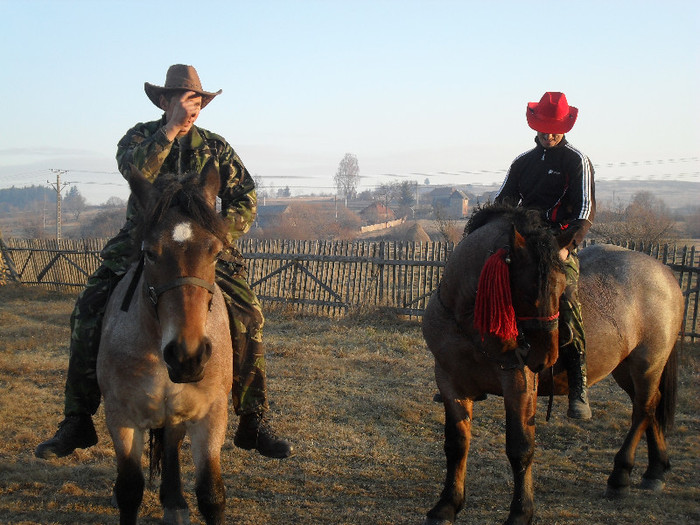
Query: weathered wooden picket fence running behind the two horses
{"type": "Point", "coordinates": [319, 277]}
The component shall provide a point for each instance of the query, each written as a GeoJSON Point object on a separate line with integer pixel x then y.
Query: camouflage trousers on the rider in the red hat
{"type": "Point", "coordinates": [572, 336]}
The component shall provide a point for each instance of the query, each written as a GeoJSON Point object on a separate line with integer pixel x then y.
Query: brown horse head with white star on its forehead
{"type": "Point", "coordinates": [181, 238]}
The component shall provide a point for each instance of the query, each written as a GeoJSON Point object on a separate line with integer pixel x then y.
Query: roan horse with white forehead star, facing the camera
{"type": "Point", "coordinates": [165, 357]}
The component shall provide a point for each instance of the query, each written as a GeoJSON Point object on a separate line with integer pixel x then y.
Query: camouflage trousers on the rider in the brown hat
{"type": "Point", "coordinates": [82, 393]}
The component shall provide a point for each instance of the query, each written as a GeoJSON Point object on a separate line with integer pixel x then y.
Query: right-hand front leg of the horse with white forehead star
{"type": "Point", "coordinates": [207, 438]}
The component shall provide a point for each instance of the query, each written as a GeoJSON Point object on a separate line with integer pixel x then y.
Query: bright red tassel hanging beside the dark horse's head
{"type": "Point", "coordinates": [493, 311]}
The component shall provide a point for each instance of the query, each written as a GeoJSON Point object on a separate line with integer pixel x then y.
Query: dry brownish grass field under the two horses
{"type": "Point", "coordinates": [355, 397]}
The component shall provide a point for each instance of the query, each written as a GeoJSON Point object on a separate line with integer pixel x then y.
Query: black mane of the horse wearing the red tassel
{"type": "Point", "coordinates": [539, 238]}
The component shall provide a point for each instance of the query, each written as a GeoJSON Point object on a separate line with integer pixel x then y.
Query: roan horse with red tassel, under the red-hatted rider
{"type": "Point", "coordinates": [632, 310]}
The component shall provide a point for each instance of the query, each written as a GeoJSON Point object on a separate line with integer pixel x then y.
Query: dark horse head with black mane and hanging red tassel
{"type": "Point", "coordinates": [517, 302]}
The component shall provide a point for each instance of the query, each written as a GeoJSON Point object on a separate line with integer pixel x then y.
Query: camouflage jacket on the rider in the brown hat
{"type": "Point", "coordinates": [148, 149]}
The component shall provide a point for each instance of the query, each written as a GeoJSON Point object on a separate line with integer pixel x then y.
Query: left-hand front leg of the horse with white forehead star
{"type": "Point", "coordinates": [128, 489]}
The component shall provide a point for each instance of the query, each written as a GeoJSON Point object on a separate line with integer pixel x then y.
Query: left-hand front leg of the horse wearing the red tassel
{"type": "Point", "coordinates": [458, 425]}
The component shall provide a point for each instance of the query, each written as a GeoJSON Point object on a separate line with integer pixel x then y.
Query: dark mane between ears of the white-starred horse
{"type": "Point", "coordinates": [187, 195]}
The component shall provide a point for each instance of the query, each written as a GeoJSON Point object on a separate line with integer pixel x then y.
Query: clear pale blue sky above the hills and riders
{"type": "Point", "coordinates": [415, 89]}
